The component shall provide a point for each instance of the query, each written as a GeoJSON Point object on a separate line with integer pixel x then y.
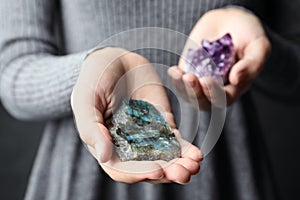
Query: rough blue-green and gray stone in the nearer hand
{"type": "Point", "coordinates": [140, 132]}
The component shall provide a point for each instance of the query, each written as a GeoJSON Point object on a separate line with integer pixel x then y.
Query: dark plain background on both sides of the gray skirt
{"type": "Point", "coordinates": [19, 141]}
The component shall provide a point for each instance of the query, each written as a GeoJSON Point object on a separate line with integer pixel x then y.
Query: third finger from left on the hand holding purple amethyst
{"type": "Point", "coordinates": [213, 91]}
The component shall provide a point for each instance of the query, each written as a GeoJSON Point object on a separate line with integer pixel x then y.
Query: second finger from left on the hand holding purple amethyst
{"type": "Point", "coordinates": [194, 92]}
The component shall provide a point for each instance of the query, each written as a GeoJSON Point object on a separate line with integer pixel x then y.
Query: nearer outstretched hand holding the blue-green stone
{"type": "Point", "coordinates": [106, 76]}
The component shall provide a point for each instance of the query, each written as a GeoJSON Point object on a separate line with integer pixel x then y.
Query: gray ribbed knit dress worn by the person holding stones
{"type": "Point", "coordinates": [42, 46]}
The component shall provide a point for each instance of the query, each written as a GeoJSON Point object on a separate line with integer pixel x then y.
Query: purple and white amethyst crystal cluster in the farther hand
{"type": "Point", "coordinates": [213, 59]}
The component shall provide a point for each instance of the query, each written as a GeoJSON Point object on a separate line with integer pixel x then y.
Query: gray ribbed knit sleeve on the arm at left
{"type": "Point", "coordinates": [35, 82]}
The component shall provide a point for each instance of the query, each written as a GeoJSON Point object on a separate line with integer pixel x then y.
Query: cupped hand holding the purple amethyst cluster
{"type": "Point", "coordinates": [251, 47]}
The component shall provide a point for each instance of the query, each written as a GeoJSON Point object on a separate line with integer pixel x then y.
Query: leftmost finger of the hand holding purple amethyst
{"type": "Point", "coordinates": [176, 74]}
